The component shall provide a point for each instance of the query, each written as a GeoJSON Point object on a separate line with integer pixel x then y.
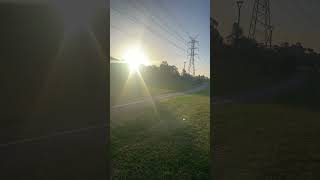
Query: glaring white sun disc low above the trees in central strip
{"type": "Point", "coordinates": [135, 57]}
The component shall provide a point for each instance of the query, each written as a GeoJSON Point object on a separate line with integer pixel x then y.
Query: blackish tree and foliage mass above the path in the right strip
{"type": "Point", "coordinates": [240, 63]}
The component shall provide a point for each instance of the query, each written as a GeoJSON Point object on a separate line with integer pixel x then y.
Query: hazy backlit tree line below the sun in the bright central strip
{"type": "Point", "coordinates": [163, 76]}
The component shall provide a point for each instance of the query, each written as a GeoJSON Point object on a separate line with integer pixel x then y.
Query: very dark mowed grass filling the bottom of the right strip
{"type": "Point", "coordinates": [260, 141]}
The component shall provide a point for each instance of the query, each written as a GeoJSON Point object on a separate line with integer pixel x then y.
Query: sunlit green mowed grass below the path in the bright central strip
{"type": "Point", "coordinates": [170, 141]}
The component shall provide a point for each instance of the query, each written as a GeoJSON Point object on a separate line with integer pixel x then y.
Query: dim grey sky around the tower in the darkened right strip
{"type": "Point", "coordinates": [293, 20]}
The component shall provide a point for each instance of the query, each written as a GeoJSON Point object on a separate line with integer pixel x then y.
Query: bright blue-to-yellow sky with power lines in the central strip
{"type": "Point", "coordinates": [161, 28]}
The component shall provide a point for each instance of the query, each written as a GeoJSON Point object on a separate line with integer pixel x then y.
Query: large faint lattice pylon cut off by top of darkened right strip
{"type": "Point", "coordinates": [261, 18]}
